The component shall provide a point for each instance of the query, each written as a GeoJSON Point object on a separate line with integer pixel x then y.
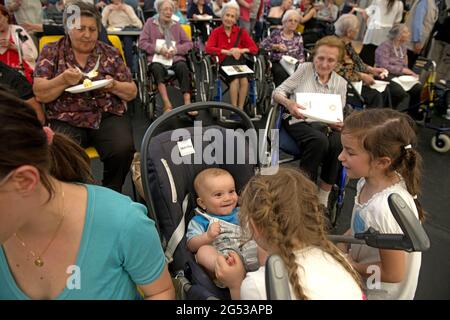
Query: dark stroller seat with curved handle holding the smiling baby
{"type": "Point", "coordinates": [170, 161]}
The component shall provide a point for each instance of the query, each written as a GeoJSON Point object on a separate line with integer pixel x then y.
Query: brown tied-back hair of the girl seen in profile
{"type": "Point", "coordinates": [385, 133]}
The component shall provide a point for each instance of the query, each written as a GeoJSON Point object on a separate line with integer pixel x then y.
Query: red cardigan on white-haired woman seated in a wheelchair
{"type": "Point", "coordinates": [219, 40]}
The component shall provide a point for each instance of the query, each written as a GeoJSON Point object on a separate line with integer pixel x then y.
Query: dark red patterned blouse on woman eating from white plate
{"type": "Point", "coordinates": [83, 109]}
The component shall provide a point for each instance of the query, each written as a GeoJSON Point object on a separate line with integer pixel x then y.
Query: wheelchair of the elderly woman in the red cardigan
{"type": "Point", "coordinates": [259, 92]}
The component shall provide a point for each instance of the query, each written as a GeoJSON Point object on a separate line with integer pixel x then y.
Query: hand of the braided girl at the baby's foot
{"type": "Point", "coordinates": [230, 270]}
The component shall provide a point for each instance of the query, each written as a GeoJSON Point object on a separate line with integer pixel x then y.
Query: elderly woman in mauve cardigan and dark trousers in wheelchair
{"type": "Point", "coordinates": [172, 47]}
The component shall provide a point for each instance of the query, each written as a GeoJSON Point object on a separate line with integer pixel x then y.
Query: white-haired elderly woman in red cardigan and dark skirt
{"type": "Point", "coordinates": [229, 42]}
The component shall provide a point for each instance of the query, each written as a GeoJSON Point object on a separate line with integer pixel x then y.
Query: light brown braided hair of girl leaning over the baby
{"type": "Point", "coordinates": [285, 208]}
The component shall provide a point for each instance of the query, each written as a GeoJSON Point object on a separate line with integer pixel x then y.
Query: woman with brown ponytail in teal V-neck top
{"type": "Point", "coordinates": [61, 237]}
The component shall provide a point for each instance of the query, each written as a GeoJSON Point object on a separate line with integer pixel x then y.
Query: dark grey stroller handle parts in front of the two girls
{"type": "Point", "coordinates": [413, 239]}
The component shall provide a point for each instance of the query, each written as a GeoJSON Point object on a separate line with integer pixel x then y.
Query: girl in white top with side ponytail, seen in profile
{"type": "Point", "coordinates": [379, 148]}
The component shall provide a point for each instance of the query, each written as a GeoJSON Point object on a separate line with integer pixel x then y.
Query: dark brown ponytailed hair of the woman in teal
{"type": "Point", "coordinates": [24, 142]}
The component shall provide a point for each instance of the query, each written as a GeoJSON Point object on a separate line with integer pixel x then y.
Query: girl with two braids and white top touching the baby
{"type": "Point", "coordinates": [282, 212]}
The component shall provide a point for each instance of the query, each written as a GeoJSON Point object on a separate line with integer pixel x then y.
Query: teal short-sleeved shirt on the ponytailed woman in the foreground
{"type": "Point", "coordinates": [119, 249]}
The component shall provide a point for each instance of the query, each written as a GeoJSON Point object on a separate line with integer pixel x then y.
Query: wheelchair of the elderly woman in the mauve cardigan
{"type": "Point", "coordinates": [147, 85]}
